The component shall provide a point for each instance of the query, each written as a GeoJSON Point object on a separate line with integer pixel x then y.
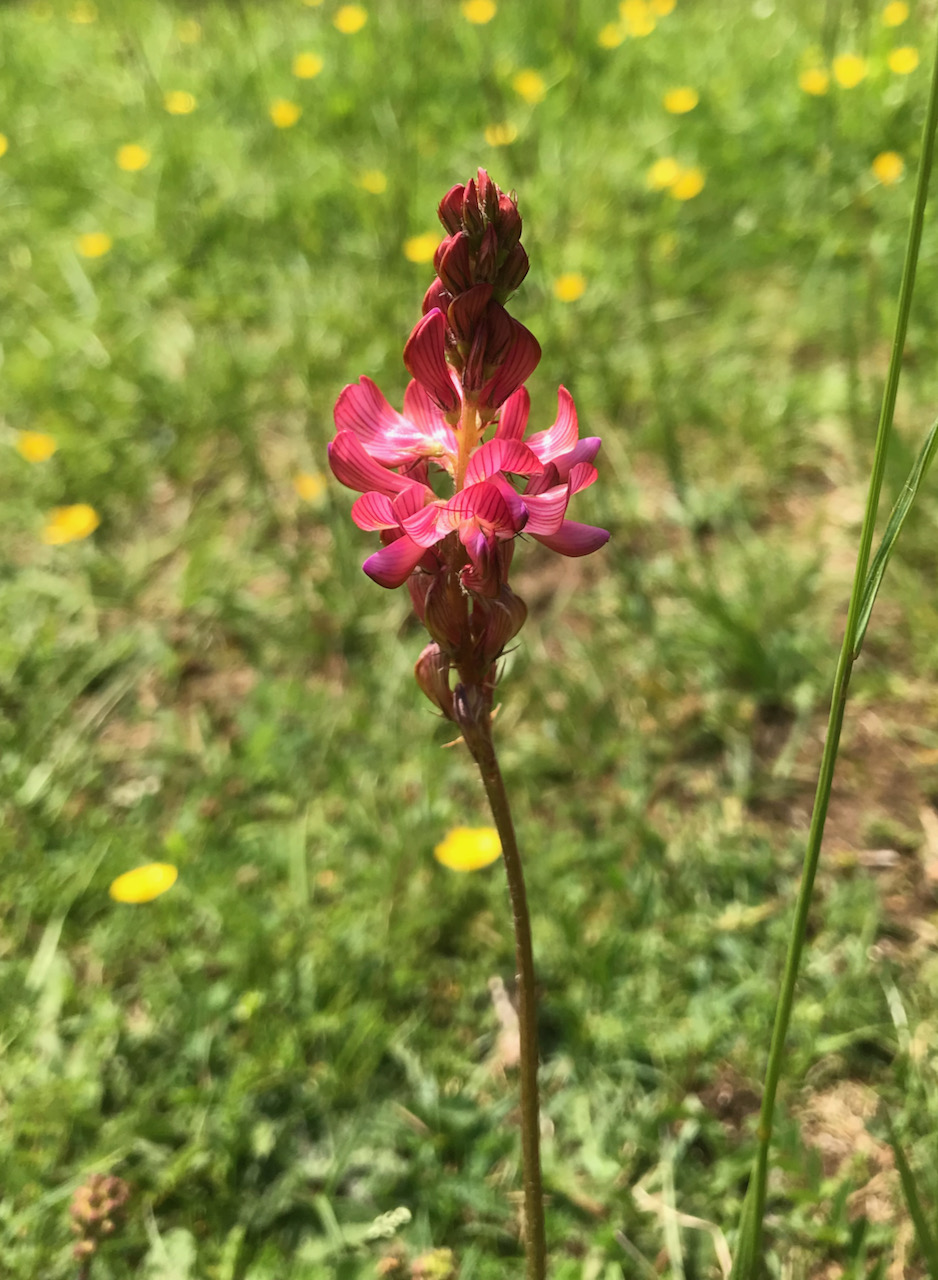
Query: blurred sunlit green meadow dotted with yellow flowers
{"type": "Point", "coordinates": [212, 220]}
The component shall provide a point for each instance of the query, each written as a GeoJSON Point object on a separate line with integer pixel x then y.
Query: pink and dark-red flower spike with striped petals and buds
{"type": "Point", "coordinates": [469, 360]}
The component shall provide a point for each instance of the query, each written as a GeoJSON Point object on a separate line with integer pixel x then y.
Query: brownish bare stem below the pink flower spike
{"type": "Point", "coordinates": [478, 737]}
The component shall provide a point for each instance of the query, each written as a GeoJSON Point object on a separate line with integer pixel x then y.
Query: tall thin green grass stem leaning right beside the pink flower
{"type": "Point", "coordinates": [751, 1236]}
